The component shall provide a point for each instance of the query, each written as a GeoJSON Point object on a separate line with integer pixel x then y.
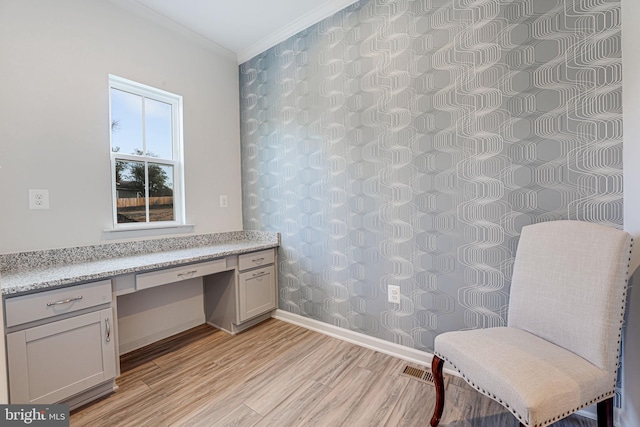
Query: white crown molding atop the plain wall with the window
{"type": "Point", "coordinates": [159, 19]}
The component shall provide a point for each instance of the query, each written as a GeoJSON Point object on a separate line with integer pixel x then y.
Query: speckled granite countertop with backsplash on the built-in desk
{"type": "Point", "coordinates": [40, 270]}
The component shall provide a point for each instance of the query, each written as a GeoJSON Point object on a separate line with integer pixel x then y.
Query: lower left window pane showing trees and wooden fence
{"type": "Point", "coordinates": [130, 200]}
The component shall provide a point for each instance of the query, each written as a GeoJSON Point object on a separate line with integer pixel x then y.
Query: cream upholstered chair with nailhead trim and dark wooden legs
{"type": "Point", "coordinates": [559, 351]}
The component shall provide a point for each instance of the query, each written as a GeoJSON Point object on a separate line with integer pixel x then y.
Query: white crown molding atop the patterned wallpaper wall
{"type": "Point", "coordinates": [302, 23]}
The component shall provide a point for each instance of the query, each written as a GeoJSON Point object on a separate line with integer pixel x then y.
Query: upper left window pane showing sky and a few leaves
{"type": "Point", "coordinates": [126, 122]}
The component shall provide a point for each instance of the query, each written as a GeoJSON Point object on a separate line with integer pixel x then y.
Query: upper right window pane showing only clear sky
{"type": "Point", "coordinates": [158, 128]}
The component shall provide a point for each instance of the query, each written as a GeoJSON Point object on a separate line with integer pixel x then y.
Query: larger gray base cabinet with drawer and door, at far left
{"type": "Point", "coordinates": [52, 358]}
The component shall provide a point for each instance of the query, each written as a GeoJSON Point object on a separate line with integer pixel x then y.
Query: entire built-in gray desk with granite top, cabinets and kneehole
{"type": "Point", "coordinates": [56, 298]}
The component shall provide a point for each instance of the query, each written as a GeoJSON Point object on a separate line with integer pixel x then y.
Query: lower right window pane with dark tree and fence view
{"type": "Point", "coordinates": [161, 192]}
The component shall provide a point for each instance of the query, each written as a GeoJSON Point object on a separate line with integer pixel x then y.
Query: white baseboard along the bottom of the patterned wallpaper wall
{"type": "Point", "coordinates": [392, 349]}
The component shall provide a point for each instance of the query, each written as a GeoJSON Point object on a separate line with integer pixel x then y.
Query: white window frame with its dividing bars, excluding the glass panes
{"type": "Point", "coordinates": [177, 162]}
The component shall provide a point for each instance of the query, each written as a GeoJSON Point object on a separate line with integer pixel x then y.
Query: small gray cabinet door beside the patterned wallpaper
{"type": "Point", "coordinates": [256, 292]}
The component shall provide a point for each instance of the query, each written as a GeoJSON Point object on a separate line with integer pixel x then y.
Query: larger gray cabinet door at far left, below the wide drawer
{"type": "Point", "coordinates": [52, 362]}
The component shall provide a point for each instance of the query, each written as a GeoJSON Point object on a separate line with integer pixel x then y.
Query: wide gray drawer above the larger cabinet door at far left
{"type": "Point", "coordinates": [46, 304]}
